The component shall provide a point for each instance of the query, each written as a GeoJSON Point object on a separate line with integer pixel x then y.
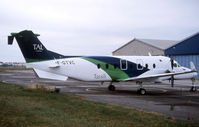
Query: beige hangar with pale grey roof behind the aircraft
{"type": "Point", "coordinates": [142, 47]}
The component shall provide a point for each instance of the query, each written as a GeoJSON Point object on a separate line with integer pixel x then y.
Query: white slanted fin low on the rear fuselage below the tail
{"type": "Point", "coordinates": [48, 75]}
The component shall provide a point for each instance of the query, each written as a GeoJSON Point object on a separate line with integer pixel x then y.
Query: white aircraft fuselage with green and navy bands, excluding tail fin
{"type": "Point", "coordinates": [83, 69]}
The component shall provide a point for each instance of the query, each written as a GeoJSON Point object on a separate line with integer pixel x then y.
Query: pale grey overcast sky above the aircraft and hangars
{"type": "Point", "coordinates": [95, 27]}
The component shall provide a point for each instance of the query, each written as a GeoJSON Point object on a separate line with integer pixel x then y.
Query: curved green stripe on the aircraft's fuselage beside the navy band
{"type": "Point", "coordinates": [116, 74]}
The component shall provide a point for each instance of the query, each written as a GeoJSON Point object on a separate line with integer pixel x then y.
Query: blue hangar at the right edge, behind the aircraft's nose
{"type": "Point", "coordinates": [185, 51]}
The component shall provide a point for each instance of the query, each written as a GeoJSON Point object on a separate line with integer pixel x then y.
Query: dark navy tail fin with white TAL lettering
{"type": "Point", "coordinates": [32, 49]}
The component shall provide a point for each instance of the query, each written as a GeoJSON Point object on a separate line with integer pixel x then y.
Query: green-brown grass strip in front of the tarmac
{"type": "Point", "coordinates": [21, 107]}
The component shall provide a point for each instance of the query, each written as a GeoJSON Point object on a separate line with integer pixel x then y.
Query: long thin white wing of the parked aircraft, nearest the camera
{"type": "Point", "coordinates": [156, 76]}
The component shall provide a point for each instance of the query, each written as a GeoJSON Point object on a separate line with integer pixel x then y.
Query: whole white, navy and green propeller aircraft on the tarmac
{"type": "Point", "coordinates": [48, 64]}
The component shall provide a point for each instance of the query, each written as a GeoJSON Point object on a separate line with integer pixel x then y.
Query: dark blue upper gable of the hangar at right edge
{"type": "Point", "coordinates": [189, 46]}
